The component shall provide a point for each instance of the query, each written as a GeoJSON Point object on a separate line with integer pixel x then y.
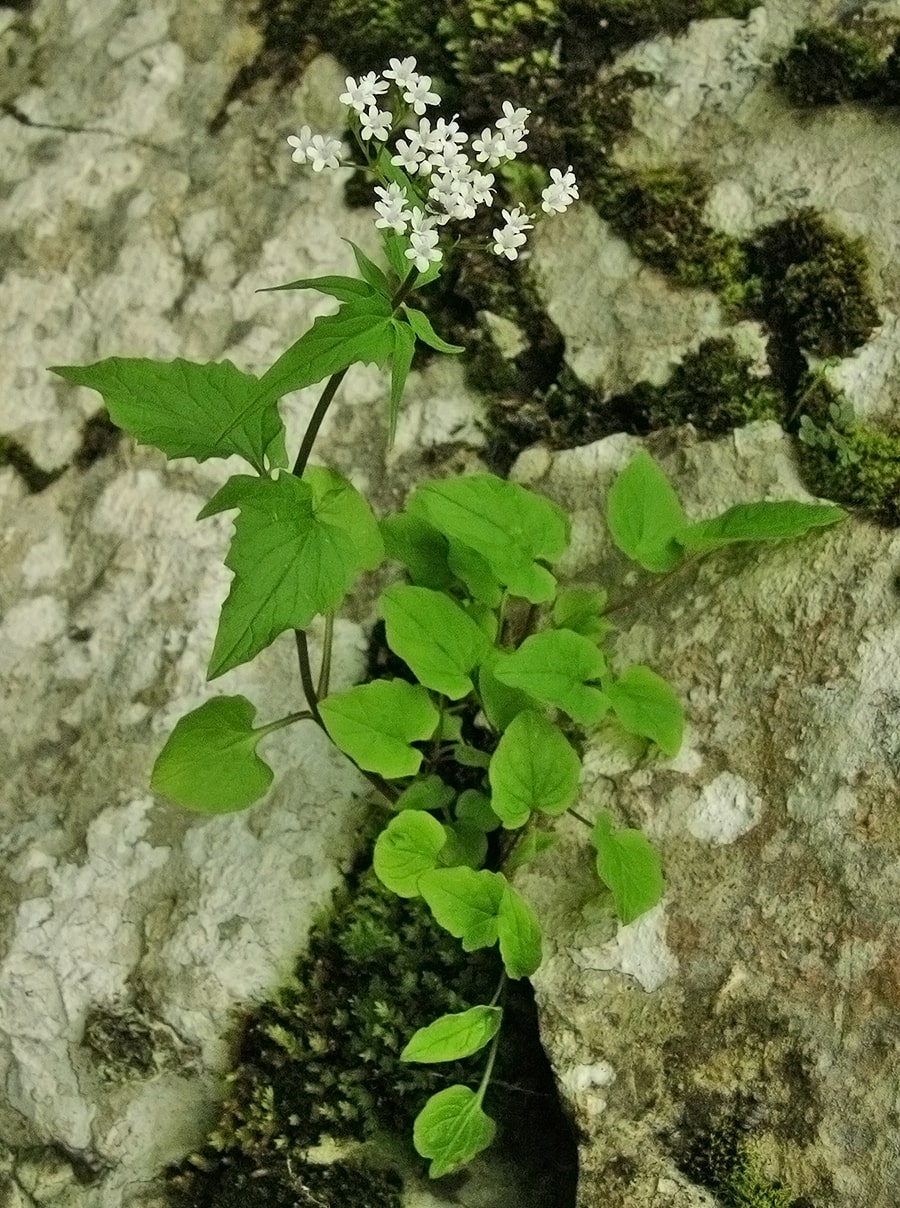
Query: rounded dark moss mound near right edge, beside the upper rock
{"type": "Point", "coordinates": [816, 282]}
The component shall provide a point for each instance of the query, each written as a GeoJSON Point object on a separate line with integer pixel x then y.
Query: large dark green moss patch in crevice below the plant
{"type": "Point", "coordinates": [323, 1059]}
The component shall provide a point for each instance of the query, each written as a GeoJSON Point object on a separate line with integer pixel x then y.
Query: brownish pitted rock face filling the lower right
{"type": "Point", "coordinates": [768, 974]}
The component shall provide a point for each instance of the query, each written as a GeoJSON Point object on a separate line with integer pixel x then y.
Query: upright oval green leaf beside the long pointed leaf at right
{"type": "Point", "coordinates": [644, 515]}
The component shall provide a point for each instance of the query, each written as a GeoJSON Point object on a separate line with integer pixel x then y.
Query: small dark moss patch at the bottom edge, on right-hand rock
{"type": "Point", "coordinates": [727, 1163]}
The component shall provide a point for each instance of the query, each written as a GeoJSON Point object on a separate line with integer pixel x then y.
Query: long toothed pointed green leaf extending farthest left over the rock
{"type": "Point", "coordinates": [183, 409]}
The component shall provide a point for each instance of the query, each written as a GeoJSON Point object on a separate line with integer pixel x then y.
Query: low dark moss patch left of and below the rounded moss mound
{"type": "Point", "coordinates": [715, 390]}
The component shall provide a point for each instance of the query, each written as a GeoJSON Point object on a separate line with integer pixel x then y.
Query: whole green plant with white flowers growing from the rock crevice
{"type": "Point", "coordinates": [498, 652]}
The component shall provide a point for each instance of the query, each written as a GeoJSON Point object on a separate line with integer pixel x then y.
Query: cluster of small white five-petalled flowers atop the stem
{"type": "Point", "coordinates": [456, 187]}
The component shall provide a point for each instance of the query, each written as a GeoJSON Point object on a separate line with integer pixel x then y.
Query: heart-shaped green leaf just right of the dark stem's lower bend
{"type": "Point", "coordinates": [375, 724]}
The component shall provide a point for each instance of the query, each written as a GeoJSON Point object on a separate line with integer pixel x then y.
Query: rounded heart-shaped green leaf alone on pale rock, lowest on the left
{"type": "Point", "coordinates": [210, 762]}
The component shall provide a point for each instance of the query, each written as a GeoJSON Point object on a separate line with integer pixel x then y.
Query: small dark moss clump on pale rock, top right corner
{"type": "Point", "coordinates": [829, 65]}
